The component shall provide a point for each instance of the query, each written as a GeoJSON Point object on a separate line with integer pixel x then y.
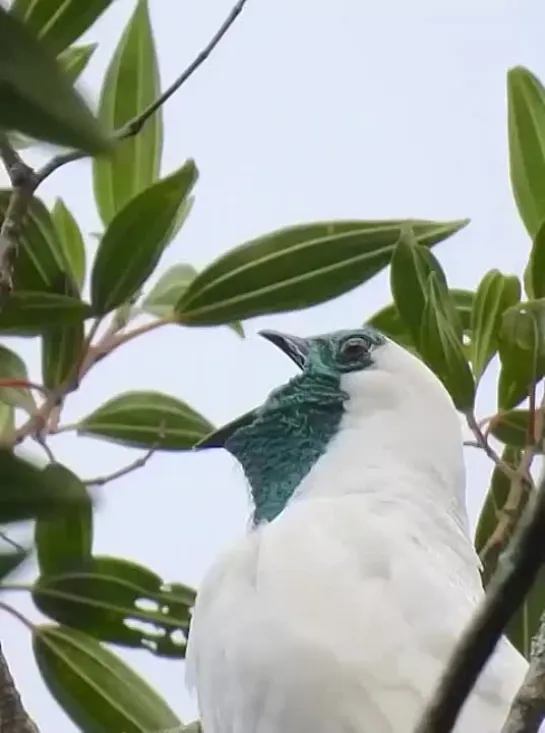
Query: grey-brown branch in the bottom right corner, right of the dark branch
{"type": "Point", "coordinates": [528, 708]}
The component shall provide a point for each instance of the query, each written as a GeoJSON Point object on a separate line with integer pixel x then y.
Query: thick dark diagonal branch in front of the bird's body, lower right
{"type": "Point", "coordinates": [507, 591]}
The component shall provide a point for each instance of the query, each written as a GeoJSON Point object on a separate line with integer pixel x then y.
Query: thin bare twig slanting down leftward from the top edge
{"type": "Point", "coordinates": [134, 126]}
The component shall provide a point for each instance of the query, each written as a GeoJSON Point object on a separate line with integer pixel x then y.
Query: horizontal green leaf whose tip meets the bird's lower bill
{"type": "Point", "coordinates": [146, 420]}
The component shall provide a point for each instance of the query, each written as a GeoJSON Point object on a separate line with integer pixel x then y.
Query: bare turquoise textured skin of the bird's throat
{"type": "Point", "coordinates": [289, 434]}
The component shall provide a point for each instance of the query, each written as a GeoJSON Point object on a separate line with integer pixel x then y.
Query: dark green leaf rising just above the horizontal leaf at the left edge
{"type": "Point", "coordinates": [41, 261]}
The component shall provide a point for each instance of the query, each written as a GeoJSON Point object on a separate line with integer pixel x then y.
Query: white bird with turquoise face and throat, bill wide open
{"type": "Point", "coordinates": [338, 610]}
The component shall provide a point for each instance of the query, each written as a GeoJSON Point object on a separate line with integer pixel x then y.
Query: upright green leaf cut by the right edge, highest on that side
{"type": "Point", "coordinates": [526, 126]}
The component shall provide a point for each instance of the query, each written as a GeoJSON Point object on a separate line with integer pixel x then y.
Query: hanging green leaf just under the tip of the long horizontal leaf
{"type": "Point", "coordinates": [411, 265]}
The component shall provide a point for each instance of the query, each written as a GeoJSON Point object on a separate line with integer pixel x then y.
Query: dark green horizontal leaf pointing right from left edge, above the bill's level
{"type": "Point", "coordinates": [27, 313]}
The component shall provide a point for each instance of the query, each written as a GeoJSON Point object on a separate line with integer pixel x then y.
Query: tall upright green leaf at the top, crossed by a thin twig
{"type": "Point", "coordinates": [131, 84]}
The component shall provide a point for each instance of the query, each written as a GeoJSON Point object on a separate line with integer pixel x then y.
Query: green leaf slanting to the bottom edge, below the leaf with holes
{"type": "Point", "coordinates": [96, 689]}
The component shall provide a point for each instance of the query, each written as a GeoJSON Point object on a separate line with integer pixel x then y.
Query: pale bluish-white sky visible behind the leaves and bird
{"type": "Point", "coordinates": [307, 111]}
